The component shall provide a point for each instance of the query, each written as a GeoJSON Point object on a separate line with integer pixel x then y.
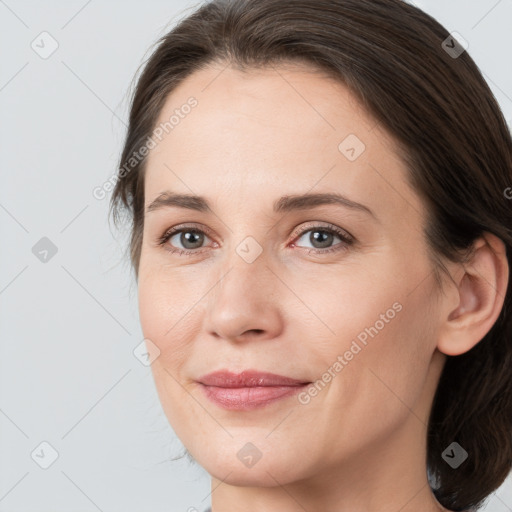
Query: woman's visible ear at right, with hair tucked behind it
{"type": "Point", "coordinates": [478, 297]}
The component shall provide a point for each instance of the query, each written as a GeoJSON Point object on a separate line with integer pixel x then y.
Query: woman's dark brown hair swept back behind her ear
{"type": "Point", "coordinates": [451, 134]}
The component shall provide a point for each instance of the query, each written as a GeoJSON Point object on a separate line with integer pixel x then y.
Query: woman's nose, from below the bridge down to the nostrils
{"type": "Point", "coordinates": [245, 303]}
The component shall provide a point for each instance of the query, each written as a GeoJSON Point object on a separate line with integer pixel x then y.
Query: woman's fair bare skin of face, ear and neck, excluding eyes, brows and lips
{"type": "Point", "coordinates": [360, 444]}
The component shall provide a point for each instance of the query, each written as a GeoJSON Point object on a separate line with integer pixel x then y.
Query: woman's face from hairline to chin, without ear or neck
{"type": "Point", "coordinates": [338, 294]}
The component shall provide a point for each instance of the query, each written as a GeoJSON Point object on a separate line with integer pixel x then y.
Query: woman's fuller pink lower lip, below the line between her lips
{"type": "Point", "coordinates": [249, 398]}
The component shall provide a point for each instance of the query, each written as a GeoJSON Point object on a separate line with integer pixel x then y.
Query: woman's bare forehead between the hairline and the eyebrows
{"type": "Point", "coordinates": [265, 132]}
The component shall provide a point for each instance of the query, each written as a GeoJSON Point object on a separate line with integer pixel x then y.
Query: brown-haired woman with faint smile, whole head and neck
{"type": "Point", "coordinates": [321, 237]}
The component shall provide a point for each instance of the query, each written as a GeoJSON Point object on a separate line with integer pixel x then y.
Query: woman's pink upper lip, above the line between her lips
{"type": "Point", "coordinates": [247, 378]}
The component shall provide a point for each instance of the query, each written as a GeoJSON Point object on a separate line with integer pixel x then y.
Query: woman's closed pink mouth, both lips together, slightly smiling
{"type": "Point", "coordinates": [249, 389]}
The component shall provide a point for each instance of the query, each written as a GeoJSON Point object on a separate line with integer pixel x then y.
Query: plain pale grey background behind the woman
{"type": "Point", "coordinates": [69, 325]}
